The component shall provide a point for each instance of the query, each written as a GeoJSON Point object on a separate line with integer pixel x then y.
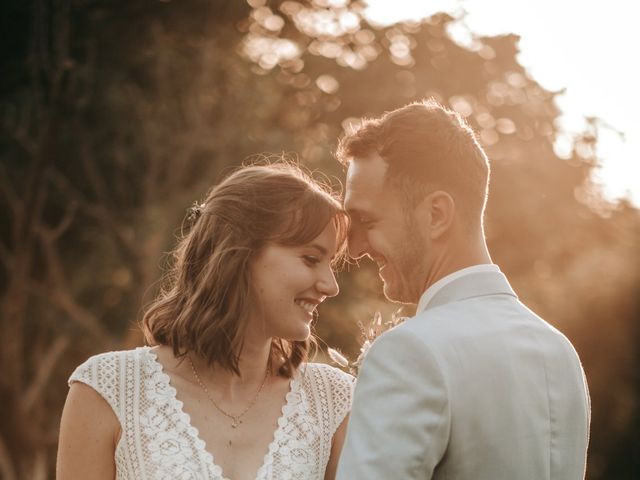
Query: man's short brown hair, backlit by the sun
{"type": "Point", "coordinates": [427, 147]}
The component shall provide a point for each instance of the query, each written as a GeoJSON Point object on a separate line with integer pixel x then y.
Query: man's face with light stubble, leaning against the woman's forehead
{"type": "Point", "coordinates": [383, 228]}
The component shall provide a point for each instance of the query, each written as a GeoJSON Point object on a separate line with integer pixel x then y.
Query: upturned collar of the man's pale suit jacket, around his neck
{"type": "Point", "coordinates": [469, 285]}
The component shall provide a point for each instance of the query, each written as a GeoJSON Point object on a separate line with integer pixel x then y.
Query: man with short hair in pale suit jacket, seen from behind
{"type": "Point", "coordinates": [475, 386]}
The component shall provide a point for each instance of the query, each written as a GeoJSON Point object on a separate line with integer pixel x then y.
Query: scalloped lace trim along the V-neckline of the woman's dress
{"type": "Point", "coordinates": [201, 445]}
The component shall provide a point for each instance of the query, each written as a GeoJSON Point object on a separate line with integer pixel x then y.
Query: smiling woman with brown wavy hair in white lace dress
{"type": "Point", "coordinates": [224, 390]}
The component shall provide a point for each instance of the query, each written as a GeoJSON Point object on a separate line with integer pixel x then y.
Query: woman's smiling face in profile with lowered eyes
{"type": "Point", "coordinates": [290, 282]}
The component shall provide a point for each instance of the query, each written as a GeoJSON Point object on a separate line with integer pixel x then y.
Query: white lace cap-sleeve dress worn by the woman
{"type": "Point", "coordinates": [158, 441]}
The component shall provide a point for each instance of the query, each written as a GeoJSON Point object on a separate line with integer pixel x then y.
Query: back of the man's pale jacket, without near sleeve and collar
{"type": "Point", "coordinates": [515, 387]}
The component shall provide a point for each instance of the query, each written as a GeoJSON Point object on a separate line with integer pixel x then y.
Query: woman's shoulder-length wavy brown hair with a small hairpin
{"type": "Point", "coordinates": [207, 296]}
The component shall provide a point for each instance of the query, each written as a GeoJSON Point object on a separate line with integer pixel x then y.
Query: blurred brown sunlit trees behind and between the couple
{"type": "Point", "coordinates": [116, 115]}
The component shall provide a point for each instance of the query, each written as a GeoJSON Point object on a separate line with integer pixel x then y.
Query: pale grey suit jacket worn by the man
{"type": "Point", "coordinates": [475, 387]}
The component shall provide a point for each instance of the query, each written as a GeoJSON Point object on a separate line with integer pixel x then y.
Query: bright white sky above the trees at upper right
{"type": "Point", "coordinates": [580, 46]}
